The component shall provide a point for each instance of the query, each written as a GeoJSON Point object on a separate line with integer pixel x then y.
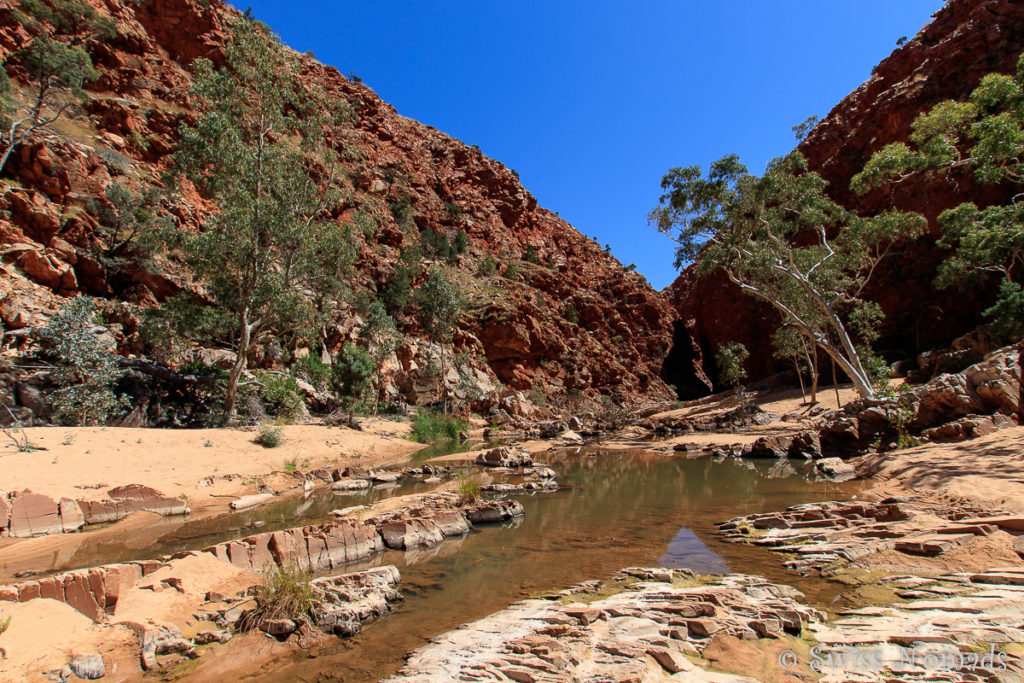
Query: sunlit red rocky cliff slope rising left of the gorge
{"type": "Point", "coordinates": [573, 321]}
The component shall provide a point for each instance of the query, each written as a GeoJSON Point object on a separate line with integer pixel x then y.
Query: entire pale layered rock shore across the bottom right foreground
{"type": "Point", "coordinates": [650, 624]}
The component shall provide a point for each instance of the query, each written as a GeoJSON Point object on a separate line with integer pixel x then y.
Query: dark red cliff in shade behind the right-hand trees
{"type": "Point", "coordinates": [966, 40]}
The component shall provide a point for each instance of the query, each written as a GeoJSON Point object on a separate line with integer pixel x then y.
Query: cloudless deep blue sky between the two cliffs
{"type": "Point", "coordinates": [593, 102]}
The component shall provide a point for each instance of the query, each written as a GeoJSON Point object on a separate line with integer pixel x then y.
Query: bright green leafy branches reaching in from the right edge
{"type": "Point", "coordinates": [985, 135]}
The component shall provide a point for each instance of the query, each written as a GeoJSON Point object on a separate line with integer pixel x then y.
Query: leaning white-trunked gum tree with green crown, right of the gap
{"type": "Point", "coordinates": [749, 227]}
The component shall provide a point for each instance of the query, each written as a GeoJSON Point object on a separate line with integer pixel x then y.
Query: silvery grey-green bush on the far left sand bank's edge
{"type": "Point", "coordinates": [87, 367]}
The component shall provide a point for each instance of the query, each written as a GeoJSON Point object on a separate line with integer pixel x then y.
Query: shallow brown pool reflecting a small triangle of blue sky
{"type": "Point", "coordinates": [617, 510]}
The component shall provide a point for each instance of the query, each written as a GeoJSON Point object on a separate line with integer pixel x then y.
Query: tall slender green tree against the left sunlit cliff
{"type": "Point", "coordinates": [259, 149]}
